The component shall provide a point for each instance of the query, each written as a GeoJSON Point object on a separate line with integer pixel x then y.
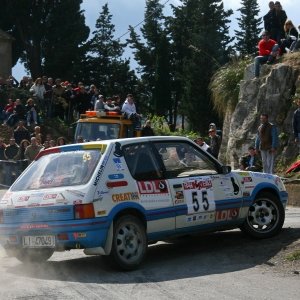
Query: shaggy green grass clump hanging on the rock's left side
{"type": "Point", "coordinates": [225, 84]}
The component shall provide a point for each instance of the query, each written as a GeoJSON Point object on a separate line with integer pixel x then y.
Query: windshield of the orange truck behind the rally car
{"type": "Point", "coordinates": [97, 131]}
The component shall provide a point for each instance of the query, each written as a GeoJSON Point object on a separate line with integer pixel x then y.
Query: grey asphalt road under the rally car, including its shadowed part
{"type": "Point", "coordinates": [225, 265]}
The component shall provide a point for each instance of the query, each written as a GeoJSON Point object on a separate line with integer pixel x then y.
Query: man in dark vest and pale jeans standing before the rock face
{"type": "Point", "coordinates": [267, 143]}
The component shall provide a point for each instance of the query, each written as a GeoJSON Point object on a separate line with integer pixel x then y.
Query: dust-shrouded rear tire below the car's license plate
{"type": "Point", "coordinates": [31, 255]}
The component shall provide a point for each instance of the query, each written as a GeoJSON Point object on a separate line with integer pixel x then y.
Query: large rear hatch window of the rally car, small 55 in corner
{"type": "Point", "coordinates": [59, 169]}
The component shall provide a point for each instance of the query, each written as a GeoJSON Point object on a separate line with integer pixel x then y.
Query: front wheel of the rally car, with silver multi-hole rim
{"type": "Point", "coordinates": [265, 217]}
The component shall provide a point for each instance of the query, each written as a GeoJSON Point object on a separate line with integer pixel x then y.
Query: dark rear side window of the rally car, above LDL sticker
{"type": "Point", "coordinates": [141, 161]}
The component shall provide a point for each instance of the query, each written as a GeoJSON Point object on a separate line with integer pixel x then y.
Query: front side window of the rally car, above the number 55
{"type": "Point", "coordinates": [182, 159]}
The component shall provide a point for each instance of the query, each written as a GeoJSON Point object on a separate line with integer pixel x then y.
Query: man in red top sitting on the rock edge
{"type": "Point", "coordinates": [267, 52]}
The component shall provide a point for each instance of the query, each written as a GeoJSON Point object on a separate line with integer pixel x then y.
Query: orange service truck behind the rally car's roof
{"type": "Point", "coordinates": [100, 125]}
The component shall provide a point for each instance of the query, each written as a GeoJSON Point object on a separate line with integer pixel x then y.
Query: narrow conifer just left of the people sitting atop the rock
{"type": "Point", "coordinates": [249, 23]}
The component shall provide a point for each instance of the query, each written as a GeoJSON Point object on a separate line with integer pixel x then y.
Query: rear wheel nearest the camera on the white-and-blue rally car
{"type": "Point", "coordinates": [129, 245]}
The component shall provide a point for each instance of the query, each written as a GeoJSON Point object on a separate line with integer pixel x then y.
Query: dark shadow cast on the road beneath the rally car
{"type": "Point", "coordinates": [187, 257]}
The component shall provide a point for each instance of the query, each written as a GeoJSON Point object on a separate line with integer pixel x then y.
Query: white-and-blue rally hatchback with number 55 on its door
{"type": "Point", "coordinates": [115, 197]}
